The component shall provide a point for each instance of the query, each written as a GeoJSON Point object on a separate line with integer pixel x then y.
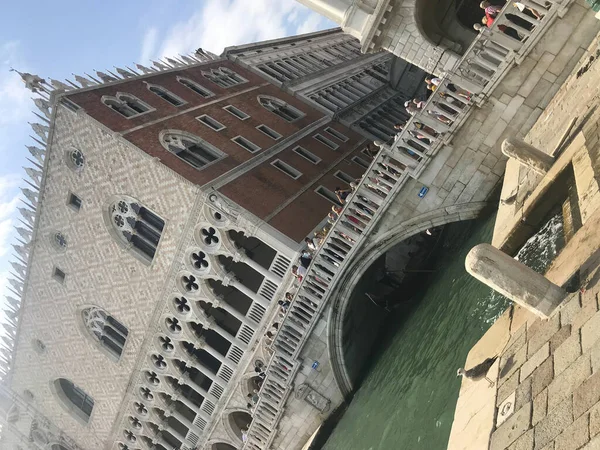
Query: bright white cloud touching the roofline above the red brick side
{"type": "Point", "coordinates": [222, 23]}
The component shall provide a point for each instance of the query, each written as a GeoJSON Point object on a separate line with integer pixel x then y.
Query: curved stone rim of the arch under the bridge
{"type": "Point", "coordinates": [374, 249]}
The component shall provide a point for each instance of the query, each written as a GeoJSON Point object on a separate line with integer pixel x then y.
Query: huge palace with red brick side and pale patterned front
{"type": "Point", "coordinates": [166, 206]}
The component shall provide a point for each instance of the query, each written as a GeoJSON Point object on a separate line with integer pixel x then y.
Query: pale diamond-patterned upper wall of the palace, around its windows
{"type": "Point", "coordinates": [98, 272]}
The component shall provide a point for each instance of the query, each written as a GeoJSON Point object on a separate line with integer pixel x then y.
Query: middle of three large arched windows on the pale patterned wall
{"type": "Point", "coordinates": [105, 330]}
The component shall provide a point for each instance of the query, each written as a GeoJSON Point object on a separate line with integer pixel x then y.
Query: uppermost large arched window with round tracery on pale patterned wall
{"type": "Point", "coordinates": [136, 227]}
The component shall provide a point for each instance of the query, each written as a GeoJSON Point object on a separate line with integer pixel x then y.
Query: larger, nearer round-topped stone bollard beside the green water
{"type": "Point", "coordinates": [514, 280]}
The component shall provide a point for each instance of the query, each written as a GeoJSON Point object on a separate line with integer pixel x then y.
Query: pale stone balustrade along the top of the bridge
{"type": "Point", "coordinates": [478, 72]}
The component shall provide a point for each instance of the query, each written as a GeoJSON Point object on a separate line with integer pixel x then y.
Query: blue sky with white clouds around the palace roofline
{"type": "Point", "coordinates": [63, 37]}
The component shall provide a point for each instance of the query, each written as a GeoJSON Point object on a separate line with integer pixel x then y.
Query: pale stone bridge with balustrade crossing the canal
{"type": "Point", "coordinates": [445, 175]}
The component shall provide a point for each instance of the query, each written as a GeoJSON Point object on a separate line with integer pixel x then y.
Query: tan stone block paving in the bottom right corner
{"type": "Point", "coordinates": [564, 412]}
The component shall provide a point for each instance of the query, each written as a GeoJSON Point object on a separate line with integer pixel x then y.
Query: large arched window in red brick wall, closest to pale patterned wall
{"type": "Point", "coordinates": [191, 149]}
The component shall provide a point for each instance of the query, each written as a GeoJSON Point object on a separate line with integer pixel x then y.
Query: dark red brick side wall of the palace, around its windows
{"type": "Point", "coordinates": [262, 190]}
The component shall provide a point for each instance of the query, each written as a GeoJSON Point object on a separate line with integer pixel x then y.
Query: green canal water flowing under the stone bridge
{"type": "Point", "coordinates": [407, 398]}
